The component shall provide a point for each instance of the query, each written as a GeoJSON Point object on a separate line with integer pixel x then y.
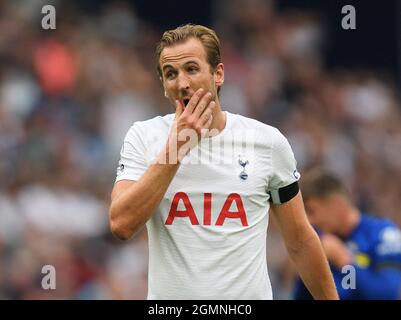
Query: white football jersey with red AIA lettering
{"type": "Point", "coordinates": [207, 238]}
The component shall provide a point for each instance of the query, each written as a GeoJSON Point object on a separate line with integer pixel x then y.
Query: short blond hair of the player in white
{"type": "Point", "coordinates": [207, 36]}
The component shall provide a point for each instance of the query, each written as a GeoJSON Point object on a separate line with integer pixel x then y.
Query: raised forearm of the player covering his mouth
{"type": "Point", "coordinates": [133, 208]}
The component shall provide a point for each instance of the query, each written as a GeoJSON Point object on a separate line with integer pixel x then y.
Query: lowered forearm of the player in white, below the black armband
{"type": "Point", "coordinates": [313, 268]}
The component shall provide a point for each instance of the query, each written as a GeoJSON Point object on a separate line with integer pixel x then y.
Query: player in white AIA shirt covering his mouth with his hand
{"type": "Point", "coordinates": [206, 206]}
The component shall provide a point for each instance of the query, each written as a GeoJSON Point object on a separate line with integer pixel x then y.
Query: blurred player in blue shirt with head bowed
{"type": "Point", "coordinates": [368, 247]}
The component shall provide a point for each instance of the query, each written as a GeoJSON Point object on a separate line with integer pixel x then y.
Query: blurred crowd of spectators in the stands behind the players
{"type": "Point", "coordinates": [68, 96]}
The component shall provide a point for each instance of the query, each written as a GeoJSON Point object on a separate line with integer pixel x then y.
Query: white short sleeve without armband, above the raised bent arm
{"type": "Point", "coordinates": [132, 164]}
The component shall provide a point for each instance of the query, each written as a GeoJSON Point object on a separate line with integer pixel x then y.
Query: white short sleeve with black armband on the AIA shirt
{"type": "Point", "coordinates": [283, 181]}
